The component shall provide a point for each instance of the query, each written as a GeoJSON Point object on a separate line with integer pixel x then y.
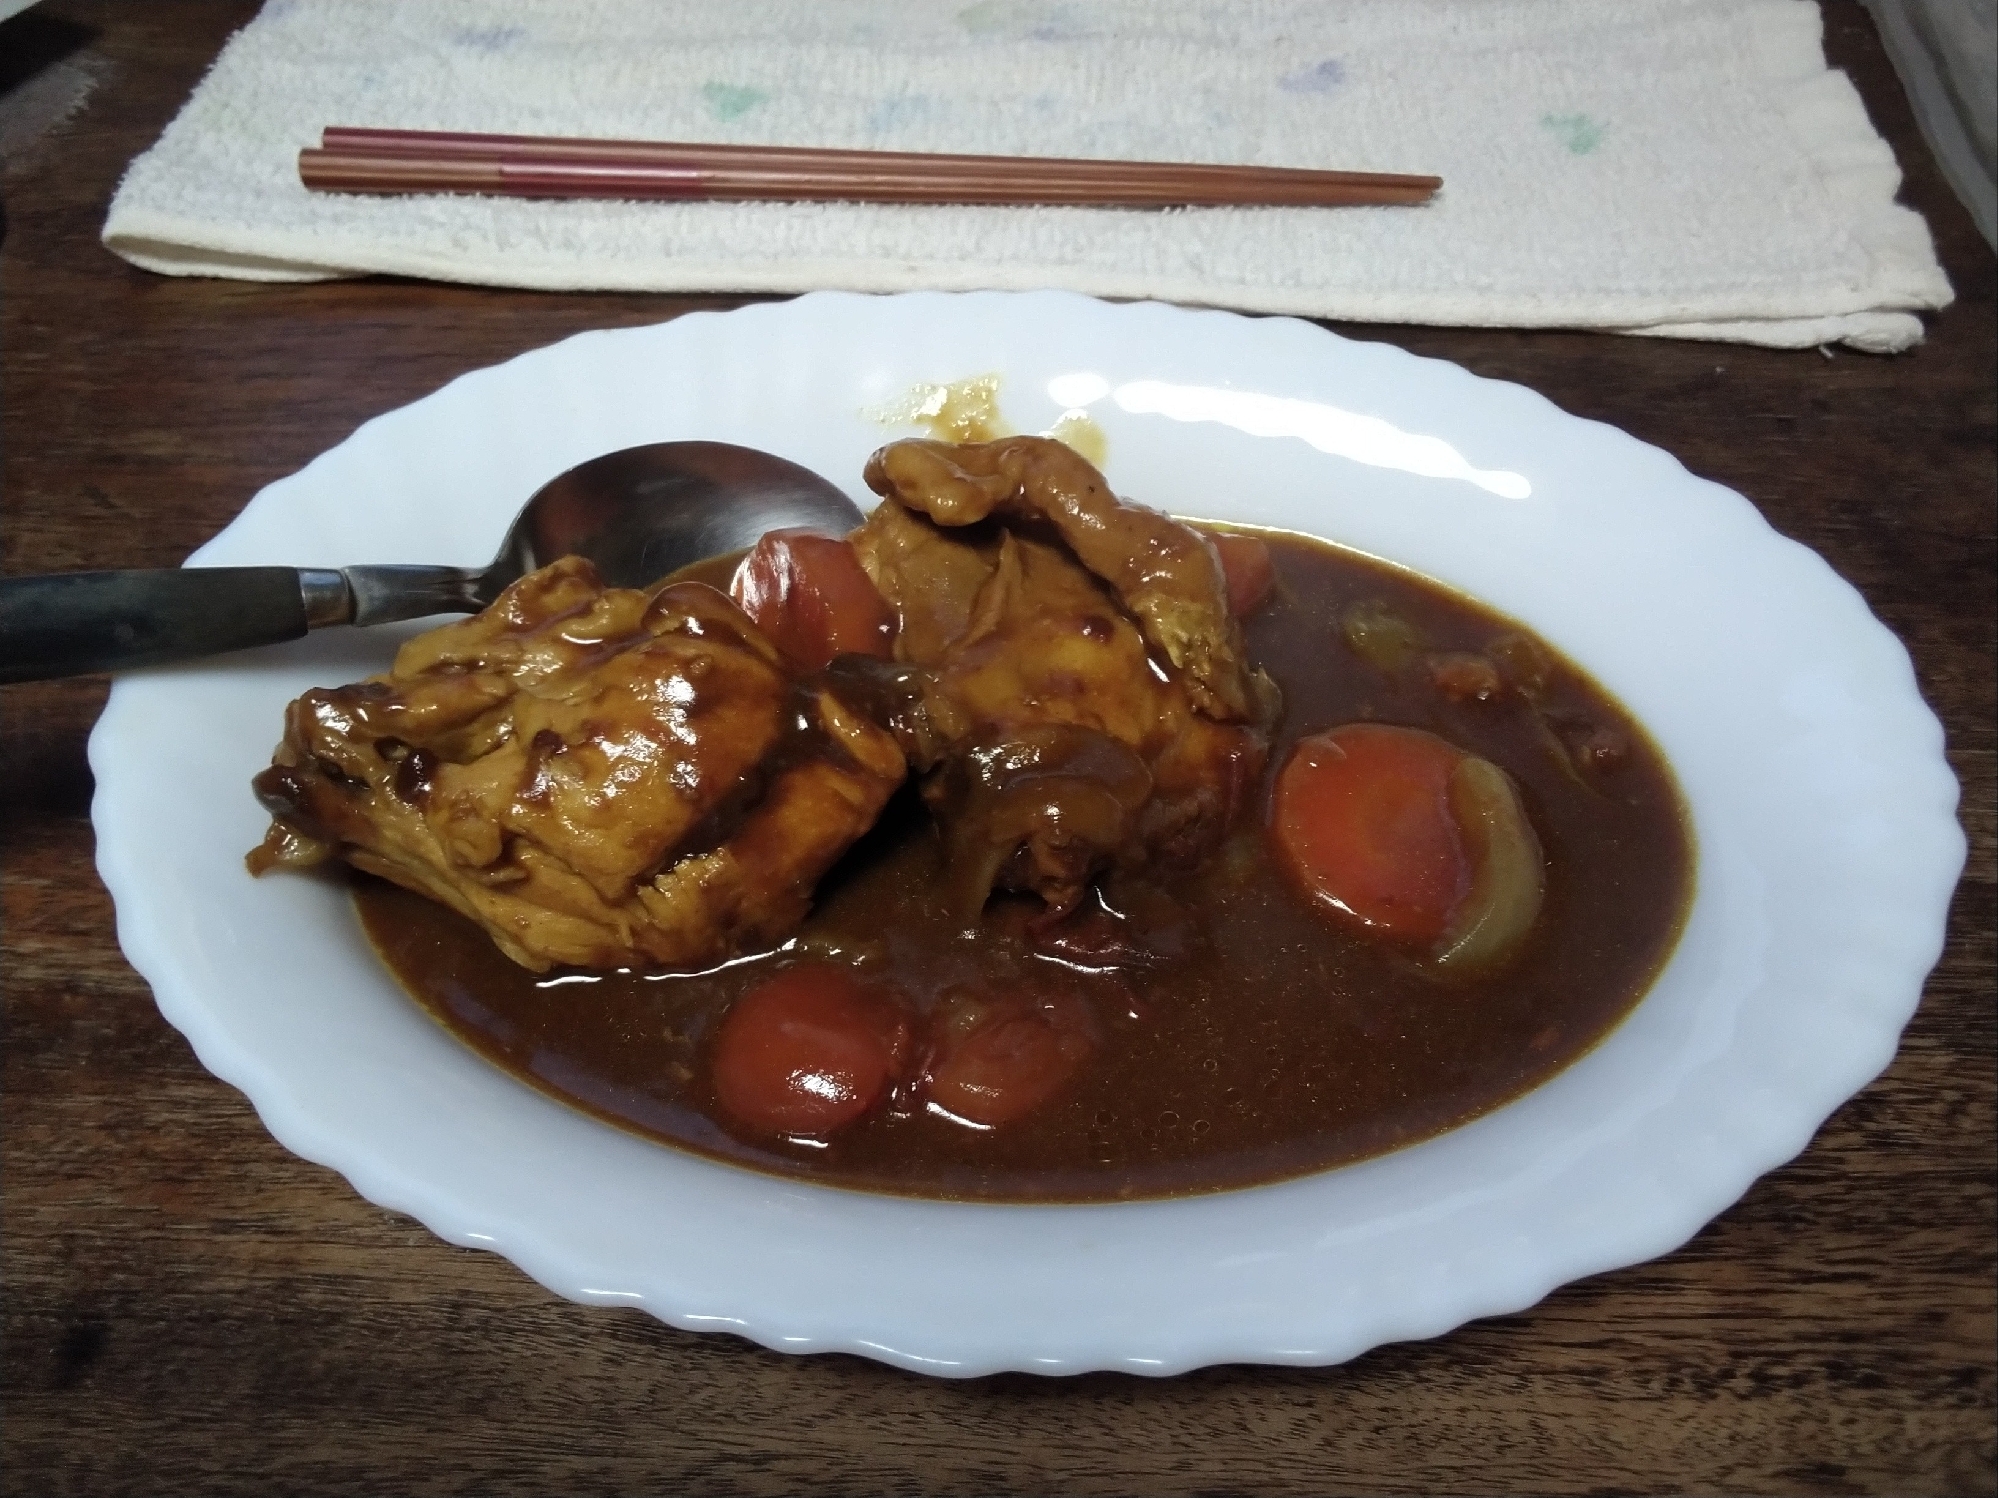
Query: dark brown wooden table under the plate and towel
{"type": "Point", "coordinates": [193, 1309]}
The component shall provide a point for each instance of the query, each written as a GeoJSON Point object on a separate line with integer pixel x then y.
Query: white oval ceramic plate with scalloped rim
{"type": "Point", "coordinates": [1823, 806]}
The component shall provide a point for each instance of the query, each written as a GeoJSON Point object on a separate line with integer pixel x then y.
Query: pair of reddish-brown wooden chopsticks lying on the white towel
{"type": "Point", "coordinates": [393, 163]}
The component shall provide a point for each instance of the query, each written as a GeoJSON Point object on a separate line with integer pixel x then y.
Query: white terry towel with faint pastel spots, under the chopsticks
{"type": "Point", "coordinates": [1651, 167]}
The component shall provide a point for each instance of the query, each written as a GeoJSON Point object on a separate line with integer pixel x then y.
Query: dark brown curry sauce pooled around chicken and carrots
{"type": "Point", "coordinates": [1256, 1042]}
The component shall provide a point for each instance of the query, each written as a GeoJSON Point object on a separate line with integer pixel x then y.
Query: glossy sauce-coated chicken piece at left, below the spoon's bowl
{"type": "Point", "coordinates": [600, 778]}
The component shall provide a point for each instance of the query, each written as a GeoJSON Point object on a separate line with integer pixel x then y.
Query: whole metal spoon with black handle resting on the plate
{"type": "Point", "coordinates": [636, 514]}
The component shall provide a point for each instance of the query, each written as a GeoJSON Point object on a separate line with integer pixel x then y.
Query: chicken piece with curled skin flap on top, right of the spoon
{"type": "Point", "coordinates": [1036, 608]}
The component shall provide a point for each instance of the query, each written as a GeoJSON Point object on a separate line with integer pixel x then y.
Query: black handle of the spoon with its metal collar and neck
{"type": "Point", "coordinates": [73, 624]}
